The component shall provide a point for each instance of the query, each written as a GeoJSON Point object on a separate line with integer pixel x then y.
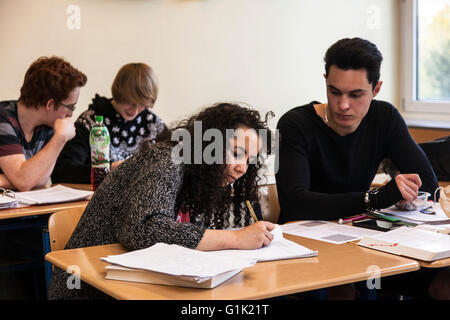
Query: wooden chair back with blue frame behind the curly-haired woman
{"type": "Point", "coordinates": [61, 225]}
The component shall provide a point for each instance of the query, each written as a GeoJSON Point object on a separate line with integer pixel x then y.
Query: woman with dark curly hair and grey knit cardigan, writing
{"type": "Point", "coordinates": [153, 197]}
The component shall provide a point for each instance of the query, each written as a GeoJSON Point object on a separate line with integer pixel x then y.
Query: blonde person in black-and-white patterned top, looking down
{"type": "Point", "coordinates": [127, 116]}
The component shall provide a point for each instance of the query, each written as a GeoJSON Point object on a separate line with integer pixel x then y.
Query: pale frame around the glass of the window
{"type": "Point", "coordinates": [408, 41]}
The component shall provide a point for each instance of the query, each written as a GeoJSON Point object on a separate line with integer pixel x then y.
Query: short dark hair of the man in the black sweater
{"type": "Point", "coordinates": [355, 54]}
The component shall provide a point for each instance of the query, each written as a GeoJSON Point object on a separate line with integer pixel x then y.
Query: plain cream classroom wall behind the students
{"type": "Point", "coordinates": [268, 53]}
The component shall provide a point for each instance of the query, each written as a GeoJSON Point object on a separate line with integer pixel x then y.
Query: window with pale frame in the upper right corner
{"type": "Point", "coordinates": [426, 56]}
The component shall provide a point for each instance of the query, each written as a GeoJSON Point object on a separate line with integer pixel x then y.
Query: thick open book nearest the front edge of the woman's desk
{"type": "Point", "coordinates": [174, 265]}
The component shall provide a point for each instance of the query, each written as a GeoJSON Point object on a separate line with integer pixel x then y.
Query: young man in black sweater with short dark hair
{"type": "Point", "coordinates": [330, 152]}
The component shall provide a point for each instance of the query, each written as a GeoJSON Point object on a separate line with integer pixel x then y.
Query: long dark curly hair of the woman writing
{"type": "Point", "coordinates": [202, 193]}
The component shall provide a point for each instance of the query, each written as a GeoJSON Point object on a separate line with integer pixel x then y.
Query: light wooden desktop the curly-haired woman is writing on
{"type": "Point", "coordinates": [335, 265]}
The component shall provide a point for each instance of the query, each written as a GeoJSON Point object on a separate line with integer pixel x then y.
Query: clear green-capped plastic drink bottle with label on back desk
{"type": "Point", "coordinates": [100, 147]}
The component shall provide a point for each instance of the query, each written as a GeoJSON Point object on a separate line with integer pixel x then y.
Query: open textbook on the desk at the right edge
{"type": "Point", "coordinates": [423, 243]}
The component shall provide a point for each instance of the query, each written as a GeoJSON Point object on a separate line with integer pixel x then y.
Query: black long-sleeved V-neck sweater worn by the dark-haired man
{"type": "Point", "coordinates": [323, 175]}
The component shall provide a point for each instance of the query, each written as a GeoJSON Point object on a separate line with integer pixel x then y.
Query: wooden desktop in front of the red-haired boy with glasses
{"type": "Point", "coordinates": [11, 213]}
